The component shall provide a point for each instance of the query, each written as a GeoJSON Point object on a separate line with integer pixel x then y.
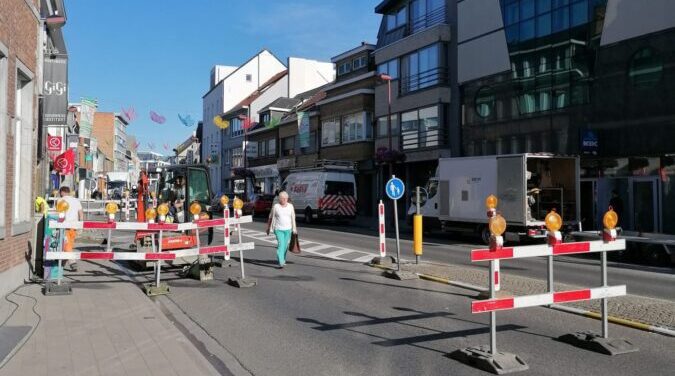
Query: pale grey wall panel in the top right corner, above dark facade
{"type": "Point", "coordinates": [626, 19]}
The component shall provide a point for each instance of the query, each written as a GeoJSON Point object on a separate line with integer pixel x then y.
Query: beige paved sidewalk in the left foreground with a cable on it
{"type": "Point", "coordinates": [106, 327]}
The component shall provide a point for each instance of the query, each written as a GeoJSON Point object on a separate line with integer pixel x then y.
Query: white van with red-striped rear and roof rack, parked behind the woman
{"type": "Point", "coordinates": [322, 193]}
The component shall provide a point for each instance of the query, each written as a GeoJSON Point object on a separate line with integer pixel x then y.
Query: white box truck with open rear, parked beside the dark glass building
{"type": "Point", "coordinates": [528, 186]}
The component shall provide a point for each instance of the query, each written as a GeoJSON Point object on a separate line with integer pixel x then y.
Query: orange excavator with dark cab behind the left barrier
{"type": "Point", "coordinates": [178, 186]}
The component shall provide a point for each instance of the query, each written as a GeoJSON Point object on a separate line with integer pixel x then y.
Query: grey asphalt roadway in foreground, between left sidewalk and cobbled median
{"type": "Point", "coordinates": [327, 317]}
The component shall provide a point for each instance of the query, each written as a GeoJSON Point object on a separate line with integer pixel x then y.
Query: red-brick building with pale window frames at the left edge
{"type": "Point", "coordinates": [20, 59]}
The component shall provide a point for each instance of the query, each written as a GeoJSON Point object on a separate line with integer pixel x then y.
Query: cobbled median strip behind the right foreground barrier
{"type": "Point", "coordinates": [630, 307]}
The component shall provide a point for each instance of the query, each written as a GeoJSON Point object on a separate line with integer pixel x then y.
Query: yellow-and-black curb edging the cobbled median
{"type": "Point", "coordinates": [577, 311]}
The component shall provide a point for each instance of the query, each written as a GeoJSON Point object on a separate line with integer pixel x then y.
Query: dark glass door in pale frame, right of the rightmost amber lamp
{"type": "Point", "coordinates": [645, 205]}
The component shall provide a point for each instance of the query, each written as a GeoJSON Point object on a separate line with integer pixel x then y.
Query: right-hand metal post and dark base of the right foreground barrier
{"type": "Point", "coordinates": [600, 343]}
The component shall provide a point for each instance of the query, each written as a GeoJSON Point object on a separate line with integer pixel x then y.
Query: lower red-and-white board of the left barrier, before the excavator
{"type": "Point", "coordinates": [168, 255]}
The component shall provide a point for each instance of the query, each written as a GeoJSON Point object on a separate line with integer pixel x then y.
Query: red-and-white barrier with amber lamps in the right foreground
{"type": "Point", "coordinates": [488, 358]}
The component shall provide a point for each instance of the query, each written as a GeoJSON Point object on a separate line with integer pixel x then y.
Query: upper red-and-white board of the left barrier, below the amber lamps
{"type": "Point", "coordinates": [144, 226]}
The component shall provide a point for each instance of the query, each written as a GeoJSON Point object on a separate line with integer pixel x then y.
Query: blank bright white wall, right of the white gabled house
{"type": "Point", "coordinates": [305, 74]}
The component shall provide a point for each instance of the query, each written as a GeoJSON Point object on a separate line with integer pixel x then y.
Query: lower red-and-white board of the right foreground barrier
{"type": "Point", "coordinates": [501, 304]}
